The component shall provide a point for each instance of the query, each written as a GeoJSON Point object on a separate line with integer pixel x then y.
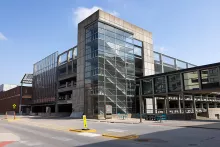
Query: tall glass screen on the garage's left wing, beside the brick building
{"type": "Point", "coordinates": [44, 79]}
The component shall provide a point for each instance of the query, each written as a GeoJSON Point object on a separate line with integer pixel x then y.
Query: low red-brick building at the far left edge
{"type": "Point", "coordinates": [12, 96]}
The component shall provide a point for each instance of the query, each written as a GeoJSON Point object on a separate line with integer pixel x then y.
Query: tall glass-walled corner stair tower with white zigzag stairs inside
{"type": "Point", "coordinates": [110, 68]}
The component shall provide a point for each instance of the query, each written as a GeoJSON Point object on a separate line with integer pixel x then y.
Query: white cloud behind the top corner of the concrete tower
{"type": "Point", "coordinates": [81, 13]}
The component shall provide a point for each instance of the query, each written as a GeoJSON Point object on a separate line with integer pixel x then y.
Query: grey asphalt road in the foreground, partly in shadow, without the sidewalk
{"type": "Point", "coordinates": [151, 136]}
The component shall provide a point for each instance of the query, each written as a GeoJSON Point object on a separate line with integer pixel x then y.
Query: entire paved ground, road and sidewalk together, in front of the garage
{"type": "Point", "coordinates": [54, 132]}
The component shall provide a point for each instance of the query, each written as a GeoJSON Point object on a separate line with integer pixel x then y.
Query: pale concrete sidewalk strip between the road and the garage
{"type": "Point", "coordinates": [76, 123]}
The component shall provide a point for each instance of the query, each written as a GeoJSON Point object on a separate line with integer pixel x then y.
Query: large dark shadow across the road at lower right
{"type": "Point", "coordinates": [170, 137]}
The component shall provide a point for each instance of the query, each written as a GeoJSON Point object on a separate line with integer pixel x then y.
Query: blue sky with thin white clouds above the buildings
{"type": "Point", "coordinates": [32, 29]}
